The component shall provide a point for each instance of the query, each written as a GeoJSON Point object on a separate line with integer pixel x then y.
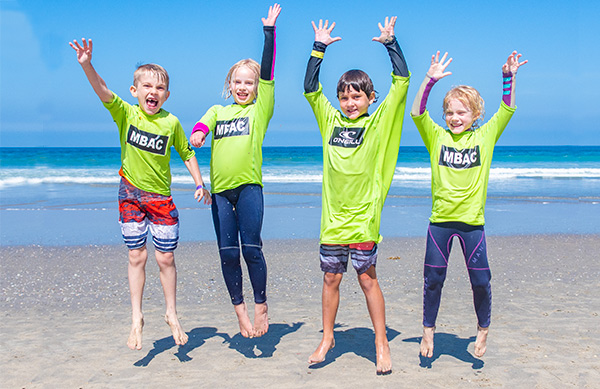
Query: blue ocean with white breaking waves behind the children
{"type": "Point", "coordinates": [68, 196]}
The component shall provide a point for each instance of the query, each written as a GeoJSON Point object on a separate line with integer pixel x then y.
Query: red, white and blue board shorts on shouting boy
{"type": "Point", "coordinates": [140, 211]}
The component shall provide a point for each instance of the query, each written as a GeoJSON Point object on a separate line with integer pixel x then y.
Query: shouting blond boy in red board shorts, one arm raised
{"type": "Point", "coordinates": [146, 133]}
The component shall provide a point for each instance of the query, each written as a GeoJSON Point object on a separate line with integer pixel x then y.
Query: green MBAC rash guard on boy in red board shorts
{"type": "Point", "coordinates": [146, 145]}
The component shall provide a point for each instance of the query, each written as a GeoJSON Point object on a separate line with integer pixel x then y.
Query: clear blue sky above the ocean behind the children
{"type": "Point", "coordinates": [45, 99]}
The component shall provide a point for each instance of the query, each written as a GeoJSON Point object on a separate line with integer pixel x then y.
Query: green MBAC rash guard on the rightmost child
{"type": "Point", "coordinates": [460, 167]}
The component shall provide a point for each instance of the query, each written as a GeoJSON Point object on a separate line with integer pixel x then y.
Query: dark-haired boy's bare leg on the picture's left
{"type": "Point", "coordinates": [330, 304]}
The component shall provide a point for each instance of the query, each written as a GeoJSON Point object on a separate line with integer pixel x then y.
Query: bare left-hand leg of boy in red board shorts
{"type": "Point", "coordinates": [137, 277]}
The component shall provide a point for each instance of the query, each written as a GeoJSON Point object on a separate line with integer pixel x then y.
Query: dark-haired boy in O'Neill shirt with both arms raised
{"type": "Point", "coordinates": [359, 159]}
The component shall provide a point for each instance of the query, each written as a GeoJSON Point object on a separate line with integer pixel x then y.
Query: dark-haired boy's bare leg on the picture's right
{"type": "Point", "coordinates": [376, 305]}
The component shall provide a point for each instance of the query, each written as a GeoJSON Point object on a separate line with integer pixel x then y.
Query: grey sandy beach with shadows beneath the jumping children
{"type": "Point", "coordinates": [65, 320]}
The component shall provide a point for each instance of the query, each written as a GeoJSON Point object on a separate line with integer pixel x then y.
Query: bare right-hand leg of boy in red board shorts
{"type": "Point", "coordinates": [168, 279]}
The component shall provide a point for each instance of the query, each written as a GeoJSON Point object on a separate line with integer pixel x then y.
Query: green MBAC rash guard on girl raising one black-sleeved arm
{"type": "Point", "coordinates": [238, 134]}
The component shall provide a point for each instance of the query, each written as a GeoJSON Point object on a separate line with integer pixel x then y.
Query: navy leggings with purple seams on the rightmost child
{"type": "Point", "coordinates": [439, 244]}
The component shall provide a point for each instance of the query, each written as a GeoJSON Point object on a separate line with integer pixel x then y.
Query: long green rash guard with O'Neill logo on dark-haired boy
{"type": "Point", "coordinates": [359, 161]}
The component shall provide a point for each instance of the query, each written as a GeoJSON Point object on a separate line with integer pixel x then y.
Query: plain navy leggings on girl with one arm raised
{"type": "Point", "coordinates": [239, 212]}
